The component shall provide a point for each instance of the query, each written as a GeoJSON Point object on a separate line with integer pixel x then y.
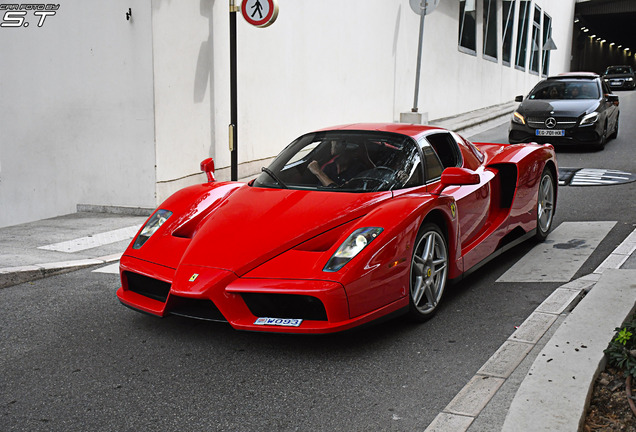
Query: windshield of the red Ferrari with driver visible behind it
{"type": "Point", "coordinates": [348, 161]}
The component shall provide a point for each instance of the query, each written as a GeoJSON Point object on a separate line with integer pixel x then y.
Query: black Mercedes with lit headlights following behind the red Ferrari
{"type": "Point", "coordinates": [570, 109]}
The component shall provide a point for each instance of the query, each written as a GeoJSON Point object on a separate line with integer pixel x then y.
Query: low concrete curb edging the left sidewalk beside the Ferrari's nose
{"type": "Point", "coordinates": [10, 276]}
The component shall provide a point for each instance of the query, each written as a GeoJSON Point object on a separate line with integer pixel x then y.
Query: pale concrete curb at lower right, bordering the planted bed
{"type": "Point", "coordinates": [536, 402]}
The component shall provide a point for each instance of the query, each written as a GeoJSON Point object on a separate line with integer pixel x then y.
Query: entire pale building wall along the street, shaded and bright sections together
{"type": "Point", "coordinates": [107, 111]}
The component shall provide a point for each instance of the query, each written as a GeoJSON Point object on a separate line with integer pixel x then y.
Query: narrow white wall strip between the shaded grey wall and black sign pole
{"type": "Point", "coordinates": [182, 36]}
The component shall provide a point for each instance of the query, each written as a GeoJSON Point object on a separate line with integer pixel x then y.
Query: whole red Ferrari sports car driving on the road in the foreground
{"type": "Point", "coordinates": [347, 225]}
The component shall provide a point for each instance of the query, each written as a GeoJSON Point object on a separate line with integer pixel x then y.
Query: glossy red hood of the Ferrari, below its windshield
{"type": "Point", "coordinates": [253, 225]}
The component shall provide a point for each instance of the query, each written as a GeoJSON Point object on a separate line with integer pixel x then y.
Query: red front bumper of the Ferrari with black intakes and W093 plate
{"type": "Point", "coordinates": [267, 305]}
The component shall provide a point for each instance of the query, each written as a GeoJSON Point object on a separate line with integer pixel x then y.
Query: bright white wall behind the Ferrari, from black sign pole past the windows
{"type": "Point", "coordinates": [331, 62]}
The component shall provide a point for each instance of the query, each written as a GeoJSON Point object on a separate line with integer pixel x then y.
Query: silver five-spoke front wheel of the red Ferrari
{"type": "Point", "coordinates": [429, 270]}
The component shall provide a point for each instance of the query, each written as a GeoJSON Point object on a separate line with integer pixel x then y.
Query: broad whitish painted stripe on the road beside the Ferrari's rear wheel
{"type": "Point", "coordinates": [561, 255]}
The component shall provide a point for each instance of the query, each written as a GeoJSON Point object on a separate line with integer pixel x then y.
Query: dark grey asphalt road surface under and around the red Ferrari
{"type": "Point", "coordinates": [72, 358]}
